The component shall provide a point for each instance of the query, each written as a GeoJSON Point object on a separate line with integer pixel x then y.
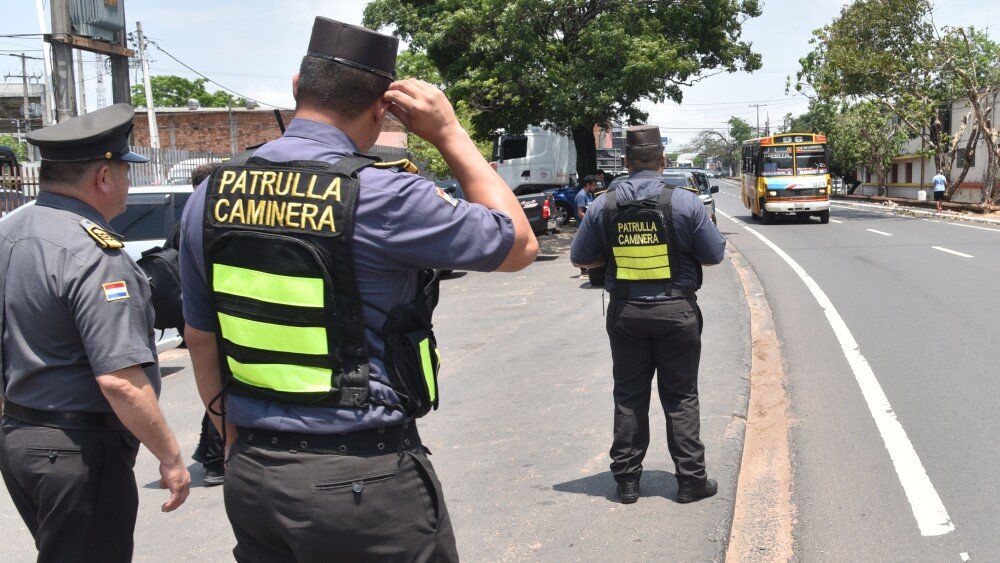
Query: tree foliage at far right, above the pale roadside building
{"type": "Point", "coordinates": [887, 58]}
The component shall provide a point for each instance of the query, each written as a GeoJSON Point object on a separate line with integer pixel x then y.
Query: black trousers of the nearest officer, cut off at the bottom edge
{"type": "Point", "coordinates": [286, 505]}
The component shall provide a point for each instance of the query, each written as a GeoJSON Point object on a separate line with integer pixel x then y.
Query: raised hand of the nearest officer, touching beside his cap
{"type": "Point", "coordinates": [423, 109]}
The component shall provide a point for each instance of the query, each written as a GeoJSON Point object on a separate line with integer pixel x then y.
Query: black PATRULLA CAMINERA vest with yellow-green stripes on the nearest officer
{"type": "Point", "coordinates": [280, 266]}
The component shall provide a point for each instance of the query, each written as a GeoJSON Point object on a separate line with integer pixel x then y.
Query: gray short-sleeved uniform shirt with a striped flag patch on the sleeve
{"type": "Point", "coordinates": [67, 316]}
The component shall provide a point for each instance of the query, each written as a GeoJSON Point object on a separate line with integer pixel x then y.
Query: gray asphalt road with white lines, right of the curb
{"type": "Point", "coordinates": [919, 299]}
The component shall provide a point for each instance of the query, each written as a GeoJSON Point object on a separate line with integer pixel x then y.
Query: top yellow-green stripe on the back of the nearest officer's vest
{"type": "Point", "coordinates": [262, 286]}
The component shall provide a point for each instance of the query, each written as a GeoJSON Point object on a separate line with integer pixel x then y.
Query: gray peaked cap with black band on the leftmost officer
{"type": "Point", "coordinates": [98, 135]}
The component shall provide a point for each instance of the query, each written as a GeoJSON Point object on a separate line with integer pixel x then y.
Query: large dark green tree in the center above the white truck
{"type": "Point", "coordinates": [566, 64]}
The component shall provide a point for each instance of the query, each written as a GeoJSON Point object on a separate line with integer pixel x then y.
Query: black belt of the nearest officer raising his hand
{"type": "Point", "coordinates": [364, 442]}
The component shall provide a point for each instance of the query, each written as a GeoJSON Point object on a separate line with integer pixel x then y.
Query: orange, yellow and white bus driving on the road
{"type": "Point", "coordinates": [787, 174]}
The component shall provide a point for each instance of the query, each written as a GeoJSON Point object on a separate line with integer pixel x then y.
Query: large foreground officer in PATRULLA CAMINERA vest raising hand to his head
{"type": "Point", "coordinates": [308, 302]}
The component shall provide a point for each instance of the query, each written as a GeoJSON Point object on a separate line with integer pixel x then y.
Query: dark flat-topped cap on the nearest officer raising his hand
{"type": "Point", "coordinates": [354, 46]}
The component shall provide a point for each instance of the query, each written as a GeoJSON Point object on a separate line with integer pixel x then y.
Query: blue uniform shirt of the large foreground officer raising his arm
{"type": "Point", "coordinates": [403, 225]}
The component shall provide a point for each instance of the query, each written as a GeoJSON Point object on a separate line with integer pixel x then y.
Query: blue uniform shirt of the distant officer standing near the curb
{"type": "Point", "coordinates": [697, 238]}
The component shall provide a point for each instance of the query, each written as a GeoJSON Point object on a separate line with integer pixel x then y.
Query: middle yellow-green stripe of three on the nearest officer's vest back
{"type": "Point", "coordinates": [274, 337]}
